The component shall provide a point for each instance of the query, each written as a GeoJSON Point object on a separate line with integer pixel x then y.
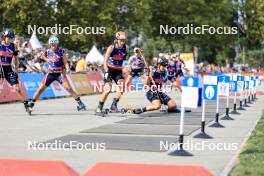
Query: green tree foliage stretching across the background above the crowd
{"type": "Point", "coordinates": [139, 17]}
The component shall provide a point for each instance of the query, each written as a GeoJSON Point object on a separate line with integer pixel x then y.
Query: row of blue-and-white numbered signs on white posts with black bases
{"type": "Point", "coordinates": [214, 86]}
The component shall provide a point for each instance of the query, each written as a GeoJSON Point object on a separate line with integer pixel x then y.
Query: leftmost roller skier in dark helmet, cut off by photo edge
{"type": "Point", "coordinates": [9, 63]}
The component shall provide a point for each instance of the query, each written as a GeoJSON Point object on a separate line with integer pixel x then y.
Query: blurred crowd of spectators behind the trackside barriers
{"type": "Point", "coordinates": [31, 61]}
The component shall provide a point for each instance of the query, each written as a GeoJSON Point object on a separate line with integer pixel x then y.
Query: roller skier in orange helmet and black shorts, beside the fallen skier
{"type": "Point", "coordinates": [113, 62]}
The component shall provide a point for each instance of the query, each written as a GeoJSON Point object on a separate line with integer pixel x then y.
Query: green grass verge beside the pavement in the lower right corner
{"type": "Point", "coordinates": [251, 159]}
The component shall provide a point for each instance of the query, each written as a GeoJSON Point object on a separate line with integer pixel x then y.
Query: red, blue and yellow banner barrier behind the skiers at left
{"type": "Point", "coordinates": [81, 83]}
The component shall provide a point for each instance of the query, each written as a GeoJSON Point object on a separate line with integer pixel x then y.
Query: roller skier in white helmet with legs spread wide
{"type": "Point", "coordinates": [57, 60]}
